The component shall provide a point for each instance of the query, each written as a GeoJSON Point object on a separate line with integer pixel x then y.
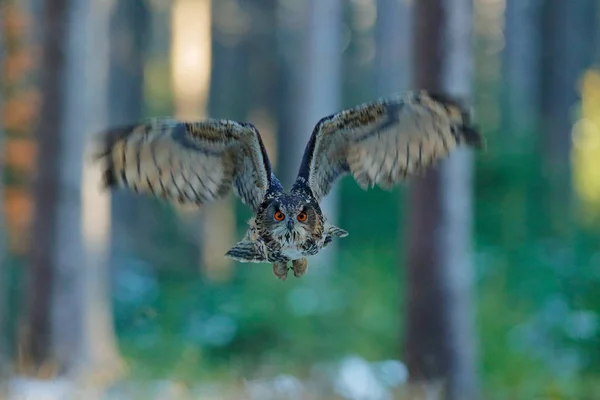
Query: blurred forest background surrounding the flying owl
{"type": "Point", "coordinates": [481, 280]}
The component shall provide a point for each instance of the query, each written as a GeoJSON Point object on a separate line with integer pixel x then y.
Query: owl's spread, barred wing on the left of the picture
{"type": "Point", "coordinates": [187, 162]}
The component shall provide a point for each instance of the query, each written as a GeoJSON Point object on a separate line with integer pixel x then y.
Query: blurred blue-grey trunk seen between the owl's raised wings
{"type": "Point", "coordinates": [311, 50]}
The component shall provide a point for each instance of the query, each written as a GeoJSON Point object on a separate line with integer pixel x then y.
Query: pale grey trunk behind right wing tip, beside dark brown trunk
{"type": "Point", "coordinates": [455, 226]}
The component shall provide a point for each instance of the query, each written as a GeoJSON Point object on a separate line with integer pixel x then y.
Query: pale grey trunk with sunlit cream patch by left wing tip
{"type": "Point", "coordinates": [83, 335]}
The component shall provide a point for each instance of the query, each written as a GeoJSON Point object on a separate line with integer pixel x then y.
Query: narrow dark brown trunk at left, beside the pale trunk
{"type": "Point", "coordinates": [47, 182]}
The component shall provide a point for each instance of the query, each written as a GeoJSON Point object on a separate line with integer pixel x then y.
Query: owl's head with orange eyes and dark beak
{"type": "Point", "coordinates": [291, 217]}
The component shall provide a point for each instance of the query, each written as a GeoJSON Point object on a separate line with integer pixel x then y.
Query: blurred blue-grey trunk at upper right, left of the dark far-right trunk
{"type": "Point", "coordinates": [520, 63]}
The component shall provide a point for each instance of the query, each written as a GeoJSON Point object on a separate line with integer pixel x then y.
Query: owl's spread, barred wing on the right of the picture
{"type": "Point", "coordinates": [385, 141]}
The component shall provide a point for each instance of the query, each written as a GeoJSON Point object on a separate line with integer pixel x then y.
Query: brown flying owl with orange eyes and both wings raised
{"type": "Point", "coordinates": [380, 143]}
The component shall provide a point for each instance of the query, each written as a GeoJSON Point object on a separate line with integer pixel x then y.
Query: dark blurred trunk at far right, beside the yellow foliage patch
{"type": "Point", "coordinates": [569, 32]}
